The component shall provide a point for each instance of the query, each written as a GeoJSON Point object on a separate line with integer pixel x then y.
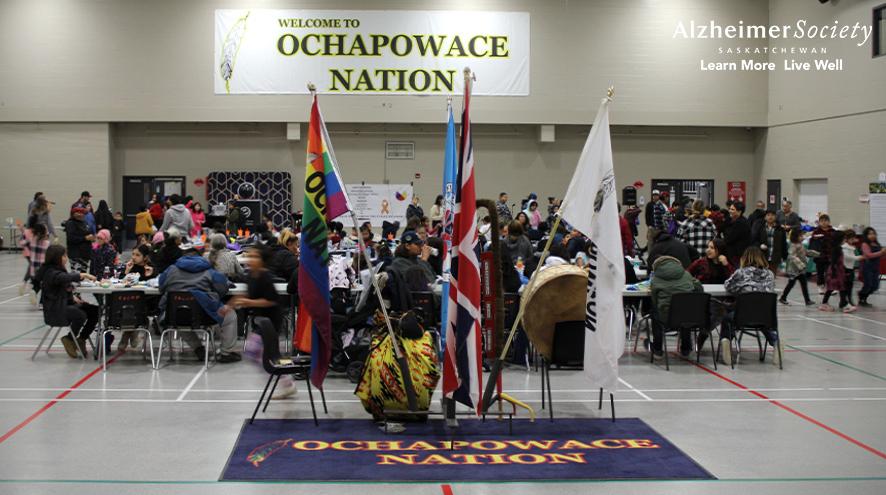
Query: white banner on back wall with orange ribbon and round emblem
{"type": "Point", "coordinates": [377, 203]}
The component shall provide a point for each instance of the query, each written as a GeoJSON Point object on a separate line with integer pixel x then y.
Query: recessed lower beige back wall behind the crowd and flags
{"type": "Point", "coordinates": [508, 158]}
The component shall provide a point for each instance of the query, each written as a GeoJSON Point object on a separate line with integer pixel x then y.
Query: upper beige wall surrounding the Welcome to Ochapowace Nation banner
{"type": "Point", "coordinates": [136, 60]}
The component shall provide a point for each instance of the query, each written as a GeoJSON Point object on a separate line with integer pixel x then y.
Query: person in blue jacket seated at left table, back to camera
{"type": "Point", "coordinates": [192, 273]}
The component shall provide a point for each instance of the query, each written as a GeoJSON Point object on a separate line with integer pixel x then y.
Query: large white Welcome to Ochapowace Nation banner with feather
{"type": "Point", "coordinates": [370, 51]}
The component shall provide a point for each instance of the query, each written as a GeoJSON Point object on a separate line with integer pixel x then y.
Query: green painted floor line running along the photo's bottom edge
{"type": "Point", "coordinates": [272, 482]}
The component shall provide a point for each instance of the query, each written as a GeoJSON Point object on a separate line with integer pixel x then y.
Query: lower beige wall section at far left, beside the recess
{"type": "Point", "coordinates": [59, 159]}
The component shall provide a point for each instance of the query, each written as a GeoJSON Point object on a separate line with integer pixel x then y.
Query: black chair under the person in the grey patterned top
{"type": "Point", "coordinates": [756, 313]}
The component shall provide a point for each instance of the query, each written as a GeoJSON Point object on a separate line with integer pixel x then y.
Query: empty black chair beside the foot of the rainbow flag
{"type": "Point", "coordinates": [276, 366]}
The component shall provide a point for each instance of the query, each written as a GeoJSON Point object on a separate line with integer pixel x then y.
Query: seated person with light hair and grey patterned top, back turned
{"type": "Point", "coordinates": [753, 276]}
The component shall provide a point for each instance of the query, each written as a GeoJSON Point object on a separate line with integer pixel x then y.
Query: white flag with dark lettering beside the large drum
{"type": "Point", "coordinates": [590, 206]}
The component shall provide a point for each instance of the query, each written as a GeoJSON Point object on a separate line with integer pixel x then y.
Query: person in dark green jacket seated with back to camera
{"type": "Point", "coordinates": [669, 278]}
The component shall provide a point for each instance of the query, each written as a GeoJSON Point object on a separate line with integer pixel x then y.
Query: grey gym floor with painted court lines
{"type": "Point", "coordinates": [817, 427]}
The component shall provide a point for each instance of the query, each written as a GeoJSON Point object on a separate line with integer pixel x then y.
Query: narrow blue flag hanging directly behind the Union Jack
{"type": "Point", "coordinates": [450, 170]}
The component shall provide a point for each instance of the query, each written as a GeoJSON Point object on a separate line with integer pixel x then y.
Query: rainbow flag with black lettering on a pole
{"type": "Point", "coordinates": [325, 201]}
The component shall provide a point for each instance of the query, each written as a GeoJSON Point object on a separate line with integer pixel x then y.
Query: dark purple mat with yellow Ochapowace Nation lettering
{"type": "Point", "coordinates": [348, 450]}
